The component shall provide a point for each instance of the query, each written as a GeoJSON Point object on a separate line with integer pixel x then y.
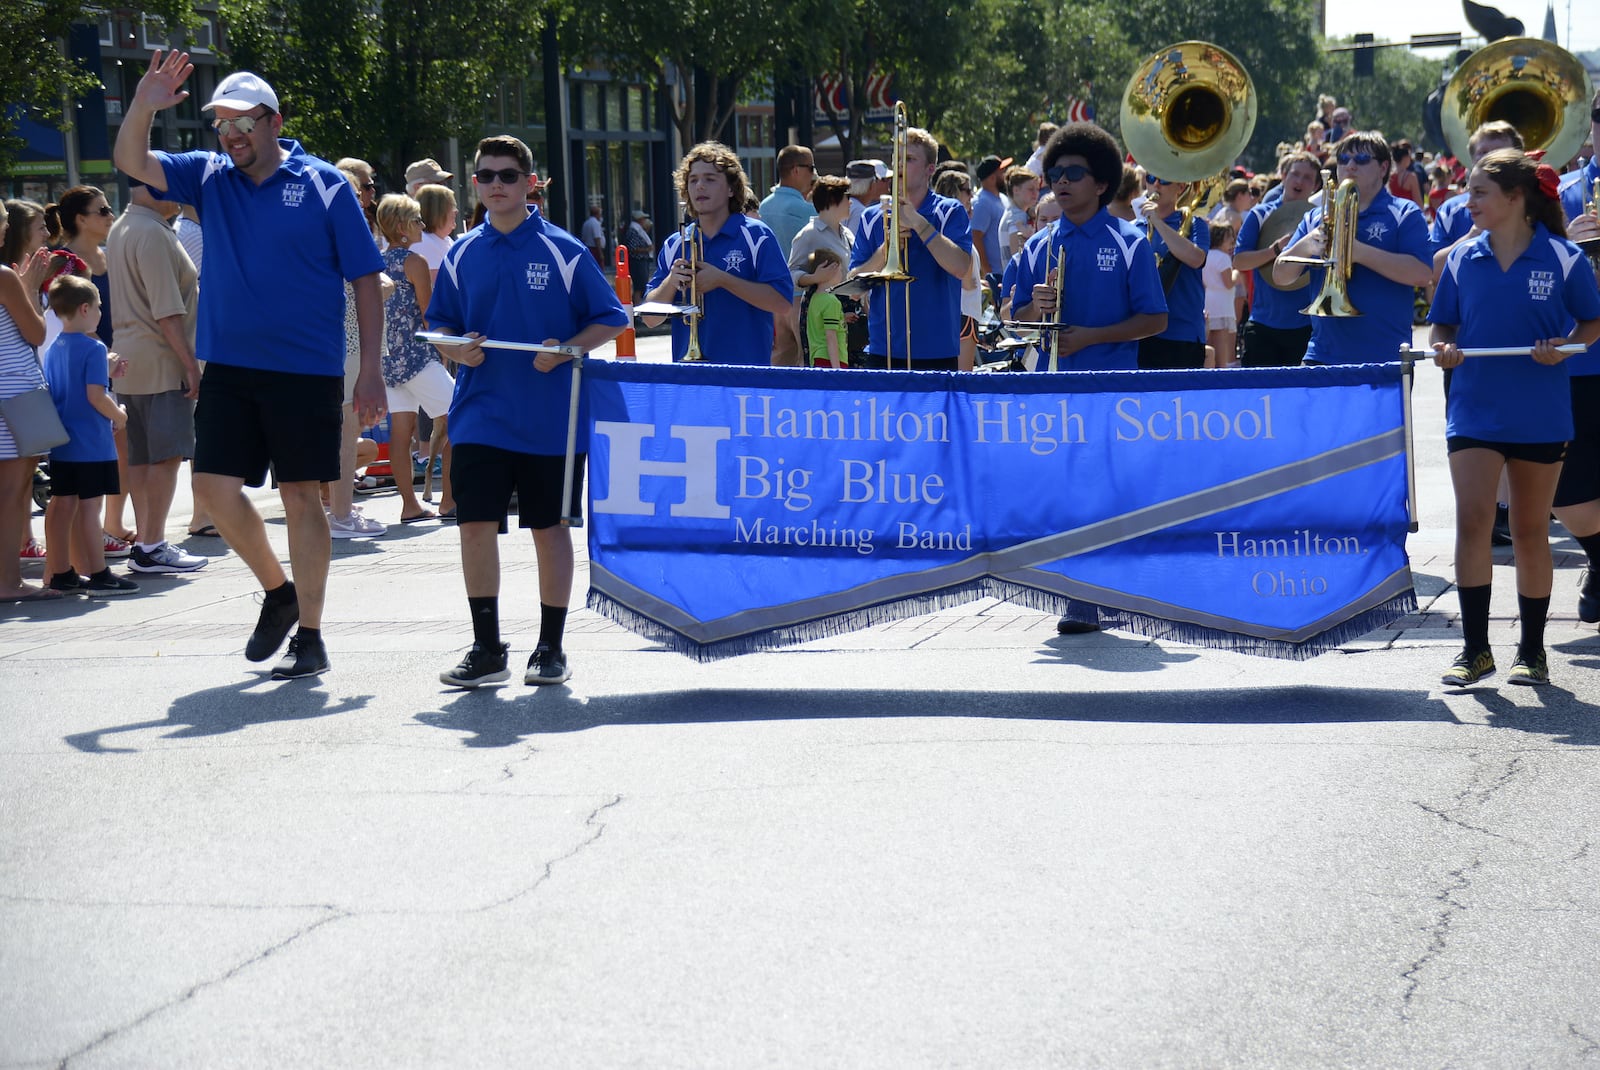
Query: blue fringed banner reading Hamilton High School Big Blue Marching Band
{"type": "Point", "coordinates": [740, 509]}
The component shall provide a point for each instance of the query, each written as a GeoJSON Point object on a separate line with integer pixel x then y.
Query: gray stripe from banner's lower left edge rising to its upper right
{"type": "Point", "coordinates": [1002, 564]}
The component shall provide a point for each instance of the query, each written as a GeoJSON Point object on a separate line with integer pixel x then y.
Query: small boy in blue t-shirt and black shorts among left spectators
{"type": "Point", "coordinates": [84, 469]}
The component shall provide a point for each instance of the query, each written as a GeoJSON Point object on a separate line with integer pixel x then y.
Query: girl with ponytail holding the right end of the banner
{"type": "Point", "coordinates": [1518, 284]}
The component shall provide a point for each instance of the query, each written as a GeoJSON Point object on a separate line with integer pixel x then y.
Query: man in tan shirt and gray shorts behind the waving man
{"type": "Point", "coordinates": [156, 300]}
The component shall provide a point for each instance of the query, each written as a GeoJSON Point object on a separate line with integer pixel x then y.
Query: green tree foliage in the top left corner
{"type": "Point", "coordinates": [38, 73]}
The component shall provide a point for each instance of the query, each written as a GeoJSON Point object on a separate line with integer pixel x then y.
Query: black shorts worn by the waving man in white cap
{"type": "Point", "coordinates": [249, 420]}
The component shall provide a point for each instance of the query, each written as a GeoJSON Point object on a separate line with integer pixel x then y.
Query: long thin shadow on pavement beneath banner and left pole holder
{"type": "Point", "coordinates": [505, 717]}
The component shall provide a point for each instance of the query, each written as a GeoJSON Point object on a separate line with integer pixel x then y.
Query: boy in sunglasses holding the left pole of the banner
{"type": "Point", "coordinates": [518, 279]}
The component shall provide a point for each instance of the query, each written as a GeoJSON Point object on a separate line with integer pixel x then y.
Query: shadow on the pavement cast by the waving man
{"type": "Point", "coordinates": [222, 711]}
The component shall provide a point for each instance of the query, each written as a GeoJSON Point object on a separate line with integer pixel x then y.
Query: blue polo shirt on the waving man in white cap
{"type": "Point", "coordinates": [281, 255]}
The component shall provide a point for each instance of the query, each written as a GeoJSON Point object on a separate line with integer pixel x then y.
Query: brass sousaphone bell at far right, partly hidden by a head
{"type": "Point", "coordinates": [1537, 87]}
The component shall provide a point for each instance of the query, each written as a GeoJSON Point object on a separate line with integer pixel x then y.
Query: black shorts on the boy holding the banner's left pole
{"type": "Point", "coordinates": [482, 481]}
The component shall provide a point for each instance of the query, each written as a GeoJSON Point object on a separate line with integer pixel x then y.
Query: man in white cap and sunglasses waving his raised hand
{"type": "Point", "coordinates": [284, 234]}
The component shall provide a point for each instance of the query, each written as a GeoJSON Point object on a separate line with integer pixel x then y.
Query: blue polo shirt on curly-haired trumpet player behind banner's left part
{"type": "Point", "coordinates": [730, 330]}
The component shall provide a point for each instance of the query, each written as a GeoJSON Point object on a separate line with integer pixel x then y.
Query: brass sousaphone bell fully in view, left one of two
{"type": "Point", "coordinates": [1188, 113]}
